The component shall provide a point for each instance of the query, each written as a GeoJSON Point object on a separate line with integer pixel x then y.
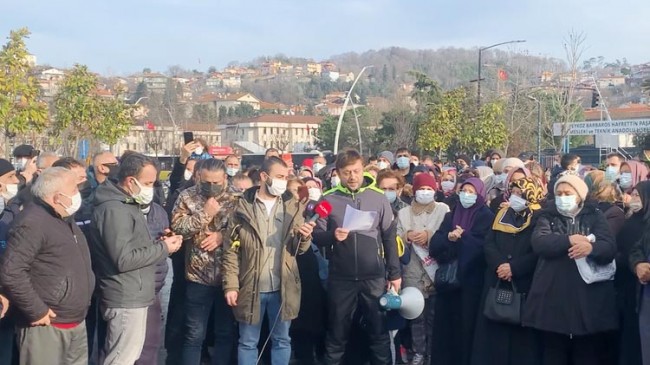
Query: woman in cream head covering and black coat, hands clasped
{"type": "Point", "coordinates": [573, 316]}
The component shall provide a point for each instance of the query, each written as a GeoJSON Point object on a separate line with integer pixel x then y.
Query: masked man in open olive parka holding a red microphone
{"type": "Point", "coordinates": [260, 273]}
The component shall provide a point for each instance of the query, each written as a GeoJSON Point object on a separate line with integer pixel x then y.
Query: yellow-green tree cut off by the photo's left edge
{"type": "Point", "coordinates": [20, 108]}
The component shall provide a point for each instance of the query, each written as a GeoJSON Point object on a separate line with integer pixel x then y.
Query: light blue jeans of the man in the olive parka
{"type": "Point", "coordinates": [249, 334]}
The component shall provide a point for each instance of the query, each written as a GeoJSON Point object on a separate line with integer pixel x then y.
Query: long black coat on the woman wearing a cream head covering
{"type": "Point", "coordinates": [559, 300]}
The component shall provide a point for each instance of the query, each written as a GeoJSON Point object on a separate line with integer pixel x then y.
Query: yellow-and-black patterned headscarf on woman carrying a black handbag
{"type": "Point", "coordinates": [507, 220]}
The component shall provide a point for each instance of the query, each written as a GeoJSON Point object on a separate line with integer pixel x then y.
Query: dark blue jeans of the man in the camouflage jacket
{"type": "Point", "coordinates": [199, 301]}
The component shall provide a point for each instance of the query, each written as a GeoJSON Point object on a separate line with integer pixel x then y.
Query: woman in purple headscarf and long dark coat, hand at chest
{"type": "Point", "coordinates": [459, 241]}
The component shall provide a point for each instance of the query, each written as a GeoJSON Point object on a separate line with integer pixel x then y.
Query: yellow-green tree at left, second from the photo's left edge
{"type": "Point", "coordinates": [81, 113]}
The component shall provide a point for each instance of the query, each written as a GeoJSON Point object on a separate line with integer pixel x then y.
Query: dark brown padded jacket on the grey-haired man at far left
{"type": "Point", "coordinates": [47, 266]}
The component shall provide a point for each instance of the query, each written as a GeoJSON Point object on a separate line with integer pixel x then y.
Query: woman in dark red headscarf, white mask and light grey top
{"type": "Point", "coordinates": [416, 225]}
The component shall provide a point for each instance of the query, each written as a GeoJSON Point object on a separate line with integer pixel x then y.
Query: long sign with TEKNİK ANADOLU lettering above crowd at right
{"type": "Point", "coordinates": [627, 126]}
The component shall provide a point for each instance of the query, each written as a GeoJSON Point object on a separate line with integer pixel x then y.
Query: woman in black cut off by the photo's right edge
{"type": "Point", "coordinates": [640, 264]}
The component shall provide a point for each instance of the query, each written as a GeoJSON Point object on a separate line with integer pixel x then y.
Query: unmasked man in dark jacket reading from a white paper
{"type": "Point", "coordinates": [363, 263]}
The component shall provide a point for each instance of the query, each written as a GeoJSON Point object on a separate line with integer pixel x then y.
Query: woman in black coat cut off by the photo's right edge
{"type": "Point", "coordinates": [638, 296]}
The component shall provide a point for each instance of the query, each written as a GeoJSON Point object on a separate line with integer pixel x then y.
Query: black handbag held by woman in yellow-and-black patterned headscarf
{"type": "Point", "coordinates": [503, 304]}
